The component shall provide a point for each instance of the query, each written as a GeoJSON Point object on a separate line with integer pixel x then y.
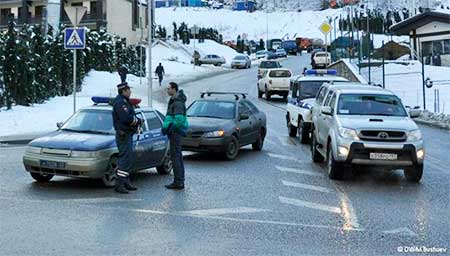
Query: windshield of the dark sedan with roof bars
{"type": "Point", "coordinates": [212, 109]}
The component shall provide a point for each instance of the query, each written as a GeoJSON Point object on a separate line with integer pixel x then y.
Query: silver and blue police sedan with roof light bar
{"type": "Point", "coordinates": [84, 146]}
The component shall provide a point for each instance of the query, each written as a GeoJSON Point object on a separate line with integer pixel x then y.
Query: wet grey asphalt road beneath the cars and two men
{"type": "Point", "coordinates": [274, 202]}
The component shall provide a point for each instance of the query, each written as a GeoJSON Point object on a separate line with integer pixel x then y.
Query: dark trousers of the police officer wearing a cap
{"type": "Point", "coordinates": [125, 164]}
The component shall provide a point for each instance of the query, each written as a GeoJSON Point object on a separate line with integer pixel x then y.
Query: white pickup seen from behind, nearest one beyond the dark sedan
{"type": "Point", "coordinates": [275, 81]}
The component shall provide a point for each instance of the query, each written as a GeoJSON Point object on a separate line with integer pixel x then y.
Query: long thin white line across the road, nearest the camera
{"type": "Point", "coordinates": [242, 220]}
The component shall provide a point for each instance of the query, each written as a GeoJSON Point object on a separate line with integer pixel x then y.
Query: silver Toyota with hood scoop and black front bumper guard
{"type": "Point", "coordinates": [356, 124]}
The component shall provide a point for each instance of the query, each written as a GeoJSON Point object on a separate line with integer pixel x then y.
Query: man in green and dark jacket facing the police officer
{"type": "Point", "coordinates": [175, 125]}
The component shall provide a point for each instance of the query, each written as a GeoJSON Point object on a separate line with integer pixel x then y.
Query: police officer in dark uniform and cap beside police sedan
{"type": "Point", "coordinates": [126, 124]}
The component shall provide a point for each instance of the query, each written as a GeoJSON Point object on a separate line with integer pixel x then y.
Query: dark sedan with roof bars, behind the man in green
{"type": "Point", "coordinates": [224, 122]}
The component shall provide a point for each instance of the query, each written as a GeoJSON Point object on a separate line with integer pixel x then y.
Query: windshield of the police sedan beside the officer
{"type": "Point", "coordinates": [91, 121]}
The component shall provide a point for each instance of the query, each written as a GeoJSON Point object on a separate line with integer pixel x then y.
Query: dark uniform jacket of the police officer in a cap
{"type": "Point", "coordinates": [124, 117]}
